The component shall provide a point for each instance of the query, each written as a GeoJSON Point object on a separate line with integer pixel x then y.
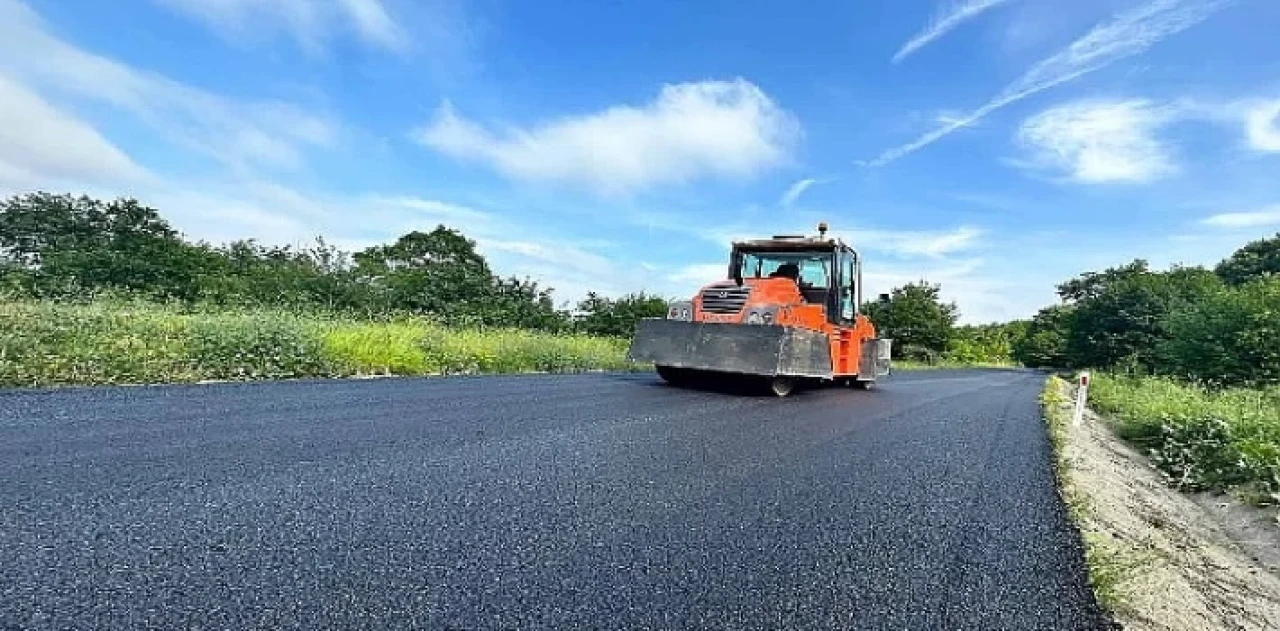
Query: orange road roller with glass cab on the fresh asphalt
{"type": "Point", "coordinates": [787, 312]}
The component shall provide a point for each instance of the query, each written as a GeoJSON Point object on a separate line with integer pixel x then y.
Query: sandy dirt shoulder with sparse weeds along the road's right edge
{"type": "Point", "coordinates": [1163, 560]}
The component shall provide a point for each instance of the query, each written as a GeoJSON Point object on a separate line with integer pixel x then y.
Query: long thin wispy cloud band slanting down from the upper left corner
{"type": "Point", "coordinates": [239, 134]}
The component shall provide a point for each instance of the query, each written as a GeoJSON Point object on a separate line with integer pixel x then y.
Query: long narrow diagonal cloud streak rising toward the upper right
{"type": "Point", "coordinates": [1127, 35]}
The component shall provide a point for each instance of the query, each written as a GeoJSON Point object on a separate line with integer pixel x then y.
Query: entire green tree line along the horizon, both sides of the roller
{"type": "Point", "coordinates": [1218, 326]}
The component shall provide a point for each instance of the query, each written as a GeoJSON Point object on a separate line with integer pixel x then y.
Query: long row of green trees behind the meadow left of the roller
{"type": "Point", "coordinates": [60, 246]}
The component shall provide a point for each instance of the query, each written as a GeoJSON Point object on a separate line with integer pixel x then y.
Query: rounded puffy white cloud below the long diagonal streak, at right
{"type": "Point", "coordinates": [1100, 141]}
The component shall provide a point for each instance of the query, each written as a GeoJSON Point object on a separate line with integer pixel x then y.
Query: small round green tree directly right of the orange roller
{"type": "Point", "coordinates": [917, 319]}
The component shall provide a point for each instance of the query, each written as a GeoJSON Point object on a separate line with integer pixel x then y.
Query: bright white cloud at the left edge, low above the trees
{"type": "Point", "coordinates": [42, 144]}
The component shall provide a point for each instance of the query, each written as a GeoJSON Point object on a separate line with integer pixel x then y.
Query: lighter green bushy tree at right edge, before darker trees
{"type": "Point", "coordinates": [1231, 337]}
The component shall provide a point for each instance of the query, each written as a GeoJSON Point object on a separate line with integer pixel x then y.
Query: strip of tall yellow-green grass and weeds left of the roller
{"type": "Point", "coordinates": [48, 344]}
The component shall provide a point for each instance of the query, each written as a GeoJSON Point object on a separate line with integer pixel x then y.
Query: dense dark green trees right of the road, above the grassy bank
{"type": "Point", "coordinates": [1215, 326]}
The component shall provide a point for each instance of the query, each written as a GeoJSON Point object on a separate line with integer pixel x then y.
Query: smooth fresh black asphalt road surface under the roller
{"type": "Point", "coordinates": [536, 502]}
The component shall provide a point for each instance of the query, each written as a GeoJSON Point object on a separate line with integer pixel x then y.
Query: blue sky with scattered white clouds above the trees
{"type": "Point", "coordinates": [993, 147]}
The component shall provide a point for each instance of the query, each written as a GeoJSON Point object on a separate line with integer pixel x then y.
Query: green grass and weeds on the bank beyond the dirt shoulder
{"type": "Point", "coordinates": [1201, 440]}
